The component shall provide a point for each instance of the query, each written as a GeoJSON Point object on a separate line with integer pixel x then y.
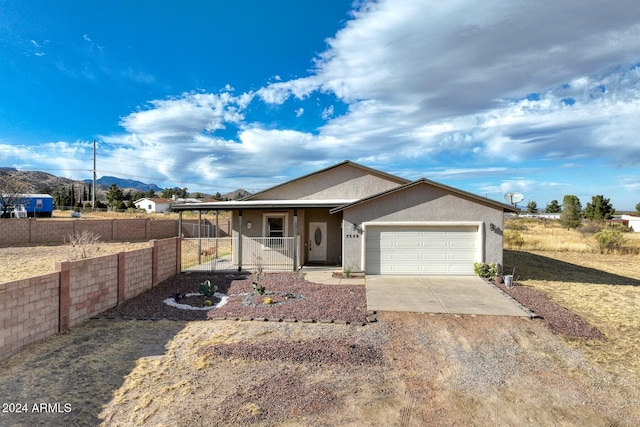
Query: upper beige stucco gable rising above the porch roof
{"type": "Point", "coordinates": [342, 182]}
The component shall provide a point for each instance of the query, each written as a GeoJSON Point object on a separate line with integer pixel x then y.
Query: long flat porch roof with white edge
{"type": "Point", "coordinates": [262, 204]}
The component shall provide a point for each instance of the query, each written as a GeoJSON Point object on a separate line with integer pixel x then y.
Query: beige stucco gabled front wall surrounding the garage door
{"type": "Point", "coordinates": [420, 203]}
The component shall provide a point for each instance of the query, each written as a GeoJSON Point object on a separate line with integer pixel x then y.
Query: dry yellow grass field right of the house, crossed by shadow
{"type": "Point", "coordinates": [602, 288]}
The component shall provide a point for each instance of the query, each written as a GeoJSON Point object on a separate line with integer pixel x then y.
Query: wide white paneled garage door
{"type": "Point", "coordinates": [444, 250]}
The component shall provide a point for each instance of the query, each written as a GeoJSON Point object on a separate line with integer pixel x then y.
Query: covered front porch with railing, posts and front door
{"type": "Point", "coordinates": [272, 236]}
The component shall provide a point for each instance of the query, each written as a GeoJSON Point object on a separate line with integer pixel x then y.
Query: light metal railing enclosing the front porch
{"type": "Point", "coordinates": [226, 253]}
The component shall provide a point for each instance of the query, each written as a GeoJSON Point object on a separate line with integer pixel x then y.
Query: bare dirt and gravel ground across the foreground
{"type": "Point", "coordinates": [430, 370]}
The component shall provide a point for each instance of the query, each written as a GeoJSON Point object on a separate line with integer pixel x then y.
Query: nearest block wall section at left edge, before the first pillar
{"type": "Point", "coordinates": [28, 311]}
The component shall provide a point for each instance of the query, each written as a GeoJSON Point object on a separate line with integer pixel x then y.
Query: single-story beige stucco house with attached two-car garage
{"type": "Point", "coordinates": [365, 220]}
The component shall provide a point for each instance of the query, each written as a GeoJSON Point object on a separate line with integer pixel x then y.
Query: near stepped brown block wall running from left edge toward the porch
{"type": "Point", "coordinates": [34, 309]}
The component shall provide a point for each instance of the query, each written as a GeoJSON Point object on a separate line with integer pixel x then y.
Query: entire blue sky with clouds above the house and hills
{"type": "Point", "coordinates": [541, 98]}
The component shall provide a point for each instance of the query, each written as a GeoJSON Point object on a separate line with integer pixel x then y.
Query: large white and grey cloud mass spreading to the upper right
{"type": "Point", "coordinates": [420, 80]}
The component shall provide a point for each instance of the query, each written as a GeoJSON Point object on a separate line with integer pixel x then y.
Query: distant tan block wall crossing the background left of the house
{"type": "Point", "coordinates": [33, 230]}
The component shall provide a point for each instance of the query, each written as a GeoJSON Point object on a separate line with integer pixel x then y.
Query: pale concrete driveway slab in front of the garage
{"type": "Point", "coordinates": [439, 294]}
